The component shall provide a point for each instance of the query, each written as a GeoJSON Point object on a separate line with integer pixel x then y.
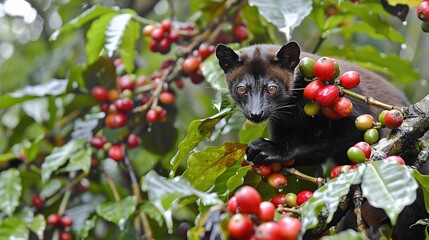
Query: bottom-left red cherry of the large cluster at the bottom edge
{"type": "Point", "coordinates": [240, 226]}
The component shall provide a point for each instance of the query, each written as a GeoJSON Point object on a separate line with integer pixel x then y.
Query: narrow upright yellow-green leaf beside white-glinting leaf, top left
{"type": "Point", "coordinates": [127, 49]}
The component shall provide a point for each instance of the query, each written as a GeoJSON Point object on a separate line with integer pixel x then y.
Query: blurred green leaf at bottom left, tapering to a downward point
{"type": "Point", "coordinates": [118, 212]}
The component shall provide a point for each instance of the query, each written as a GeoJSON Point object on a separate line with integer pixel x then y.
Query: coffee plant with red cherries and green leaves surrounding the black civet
{"type": "Point", "coordinates": [119, 126]}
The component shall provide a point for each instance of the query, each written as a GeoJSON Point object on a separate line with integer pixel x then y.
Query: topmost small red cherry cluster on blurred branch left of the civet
{"type": "Point", "coordinates": [162, 36]}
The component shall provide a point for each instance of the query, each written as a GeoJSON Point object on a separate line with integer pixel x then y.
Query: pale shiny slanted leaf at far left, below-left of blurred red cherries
{"type": "Point", "coordinates": [59, 157]}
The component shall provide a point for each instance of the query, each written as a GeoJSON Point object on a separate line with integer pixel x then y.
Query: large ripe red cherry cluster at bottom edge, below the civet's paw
{"type": "Point", "coordinates": [254, 218]}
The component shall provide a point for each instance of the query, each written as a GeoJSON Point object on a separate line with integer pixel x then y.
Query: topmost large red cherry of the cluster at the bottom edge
{"type": "Point", "coordinates": [248, 199]}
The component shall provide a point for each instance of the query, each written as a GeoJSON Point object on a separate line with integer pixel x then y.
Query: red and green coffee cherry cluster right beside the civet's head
{"type": "Point", "coordinates": [324, 92]}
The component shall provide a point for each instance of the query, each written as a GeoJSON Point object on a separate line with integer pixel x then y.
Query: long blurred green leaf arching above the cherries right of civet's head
{"type": "Point", "coordinates": [397, 68]}
